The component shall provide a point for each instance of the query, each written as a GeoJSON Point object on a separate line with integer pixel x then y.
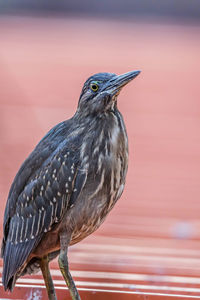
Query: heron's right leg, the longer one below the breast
{"type": "Point", "coordinates": [64, 267]}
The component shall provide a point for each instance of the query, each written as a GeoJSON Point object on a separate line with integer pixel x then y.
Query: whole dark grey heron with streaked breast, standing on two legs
{"type": "Point", "coordinates": [67, 186]}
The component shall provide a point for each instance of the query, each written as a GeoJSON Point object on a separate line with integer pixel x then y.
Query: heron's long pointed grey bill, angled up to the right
{"type": "Point", "coordinates": [119, 81]}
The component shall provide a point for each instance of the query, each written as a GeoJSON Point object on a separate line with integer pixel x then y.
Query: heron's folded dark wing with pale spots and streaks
{"type": "Point", "coordinates": [40, 203]}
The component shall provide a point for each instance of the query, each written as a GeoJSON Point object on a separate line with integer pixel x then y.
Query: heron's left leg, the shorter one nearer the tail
{"type": "Point", "coordinates": [44, 265]}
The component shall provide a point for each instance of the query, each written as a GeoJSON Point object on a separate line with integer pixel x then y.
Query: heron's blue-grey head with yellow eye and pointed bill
{"type": "Point", "coordinates": [100, 91]}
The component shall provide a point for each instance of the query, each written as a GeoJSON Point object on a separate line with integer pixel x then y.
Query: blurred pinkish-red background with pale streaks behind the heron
{"type": "Point", "coordinates": [149, 245]}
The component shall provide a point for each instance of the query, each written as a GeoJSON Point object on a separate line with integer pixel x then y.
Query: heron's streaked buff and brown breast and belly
{"type": "Point", "coordinates": [106, 161]}
